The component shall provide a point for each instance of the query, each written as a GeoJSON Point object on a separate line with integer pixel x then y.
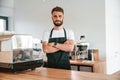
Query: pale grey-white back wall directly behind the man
{"type": "Point", "coordinates": [83, 16]}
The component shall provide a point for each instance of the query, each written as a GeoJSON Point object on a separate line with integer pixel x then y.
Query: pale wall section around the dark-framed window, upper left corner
{"type": "Point", "coordinates": [7, 9]}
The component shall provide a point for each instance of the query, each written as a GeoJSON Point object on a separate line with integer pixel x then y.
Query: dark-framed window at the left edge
{"type": "Point", "coordinates": [3, 23]}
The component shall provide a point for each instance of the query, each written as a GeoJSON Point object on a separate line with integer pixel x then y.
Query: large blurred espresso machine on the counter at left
{"type": "Point", "coordinates": [16, 53]}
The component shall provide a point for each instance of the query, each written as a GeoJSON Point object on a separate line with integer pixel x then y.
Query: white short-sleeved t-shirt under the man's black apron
{"type": "Point", "coordinates": [57, 34]}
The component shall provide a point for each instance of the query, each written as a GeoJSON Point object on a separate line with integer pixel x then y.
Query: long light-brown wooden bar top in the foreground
{"type": "Point", "coordinates": [55, 74]}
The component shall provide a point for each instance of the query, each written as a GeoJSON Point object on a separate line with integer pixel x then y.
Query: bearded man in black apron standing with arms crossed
{"type": "Point", "coordinates": [58, 42]}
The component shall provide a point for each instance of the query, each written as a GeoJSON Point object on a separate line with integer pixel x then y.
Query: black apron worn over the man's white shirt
{"type": "Point", "coordinates": [59, 59]}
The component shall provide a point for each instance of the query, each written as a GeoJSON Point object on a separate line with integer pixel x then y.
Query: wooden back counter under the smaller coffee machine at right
{"type": "Point", "coordinates": [97, 66]}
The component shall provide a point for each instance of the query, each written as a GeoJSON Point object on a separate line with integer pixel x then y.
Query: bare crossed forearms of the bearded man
{"type": "Point", "coordinates": [67, 46]}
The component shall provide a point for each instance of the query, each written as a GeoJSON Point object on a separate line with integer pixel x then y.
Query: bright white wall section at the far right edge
{"type": "Point", "coordinates": [113, 35]}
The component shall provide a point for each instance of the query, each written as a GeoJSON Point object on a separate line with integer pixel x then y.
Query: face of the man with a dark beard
{"type": "Point", "coordinates": [57, 18]}
